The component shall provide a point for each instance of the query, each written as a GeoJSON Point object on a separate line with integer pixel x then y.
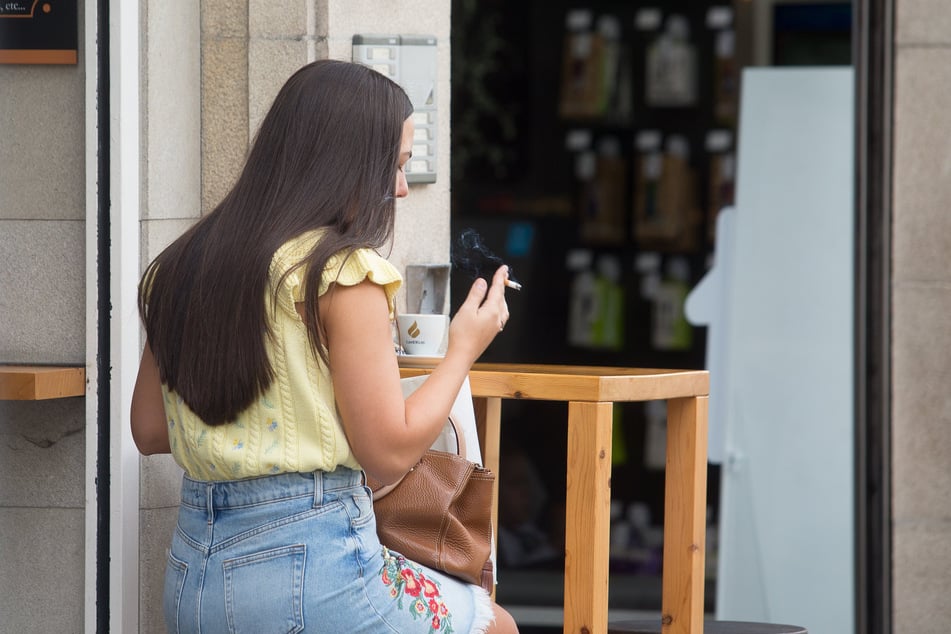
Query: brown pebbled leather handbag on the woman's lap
{"type": "Point", "coordinates": [440, 514]}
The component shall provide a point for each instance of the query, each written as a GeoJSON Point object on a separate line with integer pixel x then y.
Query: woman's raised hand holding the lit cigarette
{"type": "Point", "coordinates": [480, 318]}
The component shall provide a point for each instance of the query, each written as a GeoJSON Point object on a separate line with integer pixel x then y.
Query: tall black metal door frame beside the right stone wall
{"type": "Point", "coordinates": [873, 61]}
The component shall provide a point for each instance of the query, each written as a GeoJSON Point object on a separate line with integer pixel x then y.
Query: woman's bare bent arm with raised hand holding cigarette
{"type": "Point", "coordinates": [387, 433]}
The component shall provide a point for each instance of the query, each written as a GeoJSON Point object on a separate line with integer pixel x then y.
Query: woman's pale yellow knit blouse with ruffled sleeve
{"type": "Point", "coordinates": [294, 426]}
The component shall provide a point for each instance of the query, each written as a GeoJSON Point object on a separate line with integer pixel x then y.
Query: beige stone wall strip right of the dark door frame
{"type": "Point", "coordinates": [921, 318]}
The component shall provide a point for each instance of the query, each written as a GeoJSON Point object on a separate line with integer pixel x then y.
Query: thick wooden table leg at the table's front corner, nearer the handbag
{"type": "Point", "coordinates": [587, 517]}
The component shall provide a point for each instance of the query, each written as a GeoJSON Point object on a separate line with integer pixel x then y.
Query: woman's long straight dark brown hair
{"type": "Point", "coordinates": [325, 156]}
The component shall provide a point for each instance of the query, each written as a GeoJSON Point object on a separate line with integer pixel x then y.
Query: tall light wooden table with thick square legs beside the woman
{"type": "Point", "coordinates": [591, 393]}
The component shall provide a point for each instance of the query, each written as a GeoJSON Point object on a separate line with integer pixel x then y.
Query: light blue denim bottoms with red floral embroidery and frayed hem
{"type": "Point", "coordinates": [298, 552]}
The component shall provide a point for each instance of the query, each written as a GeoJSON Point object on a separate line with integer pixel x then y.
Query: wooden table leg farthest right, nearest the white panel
{"type": "Point", "coordinates": [685, 509]}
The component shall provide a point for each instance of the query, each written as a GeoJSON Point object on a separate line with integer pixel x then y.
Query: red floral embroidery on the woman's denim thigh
{"type": "Point", "coordinates": [408, 581]}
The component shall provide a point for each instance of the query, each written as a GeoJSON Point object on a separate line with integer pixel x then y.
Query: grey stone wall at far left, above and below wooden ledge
{"type": "Point", "coordinates": [42, 321]}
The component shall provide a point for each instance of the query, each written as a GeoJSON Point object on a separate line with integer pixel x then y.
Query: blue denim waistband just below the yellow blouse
{"type": "Point", "coordinates": [237, 493]}
